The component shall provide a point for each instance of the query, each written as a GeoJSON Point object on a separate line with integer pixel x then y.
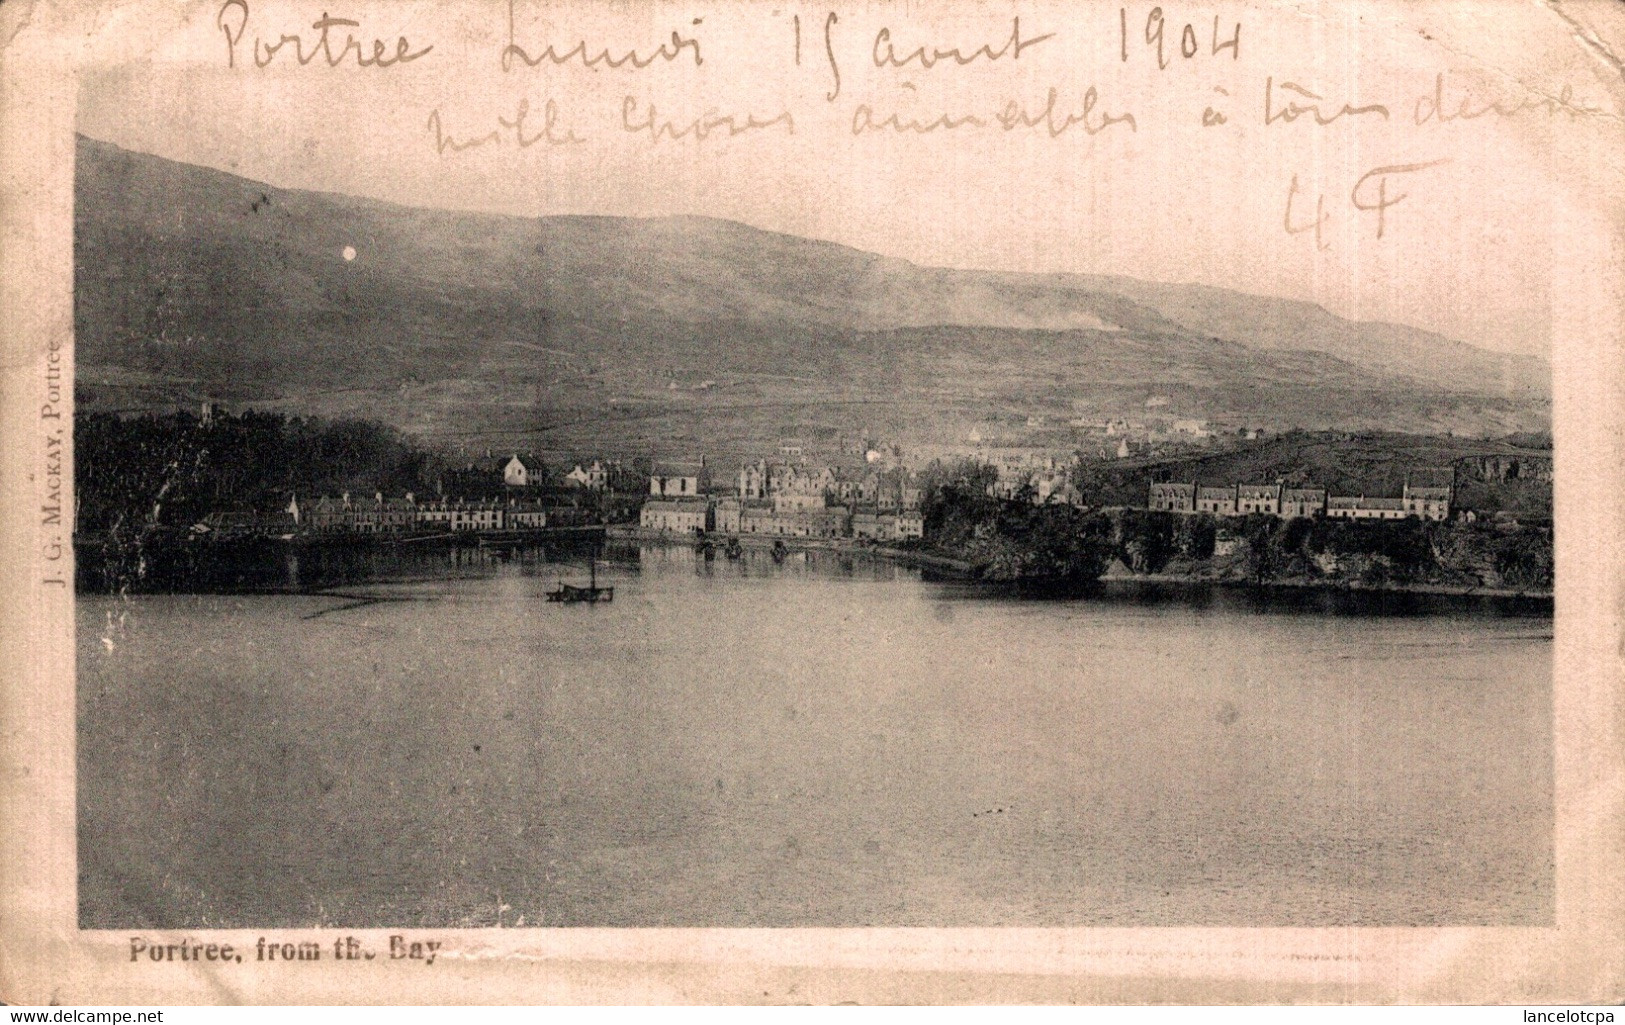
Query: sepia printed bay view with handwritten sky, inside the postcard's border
{"type": "Point", "coordinates": [948, 467]}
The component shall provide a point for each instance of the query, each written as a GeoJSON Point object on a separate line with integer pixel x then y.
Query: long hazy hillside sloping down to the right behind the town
{"type": "Point", "coordinates": [685, 334]}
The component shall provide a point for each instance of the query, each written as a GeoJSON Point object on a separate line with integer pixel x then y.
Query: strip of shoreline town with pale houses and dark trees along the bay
{"type": "Point", "coordinates": [997, 512]}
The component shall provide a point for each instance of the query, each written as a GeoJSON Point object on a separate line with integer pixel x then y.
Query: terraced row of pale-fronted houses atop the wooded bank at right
{"type": "Point", "coordinates": [1426, 503]}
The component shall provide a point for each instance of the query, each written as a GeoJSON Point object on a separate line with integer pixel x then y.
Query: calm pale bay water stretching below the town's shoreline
{"type": "Point", "coordinates": [823, 743]}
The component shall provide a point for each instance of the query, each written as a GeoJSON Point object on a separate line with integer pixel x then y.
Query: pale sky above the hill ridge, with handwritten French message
{"type": "Point", "coordinates": [1480, 205]}
